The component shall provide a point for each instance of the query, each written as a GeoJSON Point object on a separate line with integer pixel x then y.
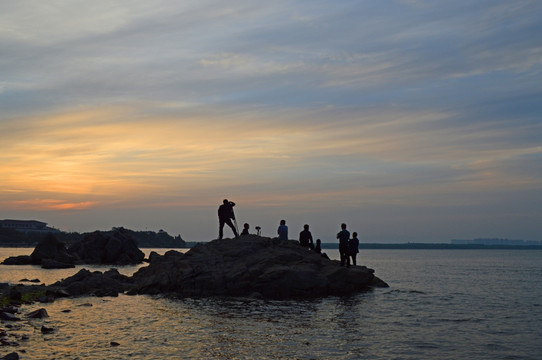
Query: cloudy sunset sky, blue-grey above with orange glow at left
{"type": "Point", "coordinates": [409, 120]}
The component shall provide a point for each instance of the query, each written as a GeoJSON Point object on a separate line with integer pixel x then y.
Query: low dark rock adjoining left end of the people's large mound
{"type": "Point", "coordinates": [96, 283]}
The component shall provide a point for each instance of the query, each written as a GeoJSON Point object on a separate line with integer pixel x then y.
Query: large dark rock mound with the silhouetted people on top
{"type": "Point", "coordinates": [248, 266]}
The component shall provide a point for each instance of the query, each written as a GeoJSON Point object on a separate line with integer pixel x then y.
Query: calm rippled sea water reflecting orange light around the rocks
{"type": "Point", "coordinates": [441, 304]}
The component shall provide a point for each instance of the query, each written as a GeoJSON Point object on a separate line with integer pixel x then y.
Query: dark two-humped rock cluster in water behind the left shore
{"type": "Point", "coordinates": [117, 248]}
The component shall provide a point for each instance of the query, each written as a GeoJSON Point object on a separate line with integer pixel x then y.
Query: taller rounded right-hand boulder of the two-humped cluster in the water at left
{"type": "Point", "coordinates": [117, 248]}
